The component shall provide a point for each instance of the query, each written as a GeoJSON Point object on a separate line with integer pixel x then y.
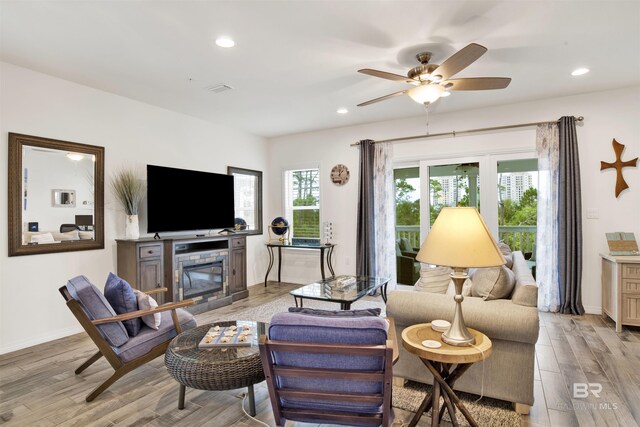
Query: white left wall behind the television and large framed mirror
{"type": "Point", "coordinates": [133, 133]}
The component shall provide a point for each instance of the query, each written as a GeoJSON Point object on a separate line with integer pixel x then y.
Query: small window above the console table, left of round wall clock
{"type": "Point", "coordinates": [302, 202]}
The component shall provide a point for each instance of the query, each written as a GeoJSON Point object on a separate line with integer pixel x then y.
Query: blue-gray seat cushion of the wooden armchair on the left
{"type": "Point", "coordinates": [148, 338]}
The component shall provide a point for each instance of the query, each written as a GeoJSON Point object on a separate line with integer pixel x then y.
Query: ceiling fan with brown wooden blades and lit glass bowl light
{"type": "Point", "coordinates": [432, 81]}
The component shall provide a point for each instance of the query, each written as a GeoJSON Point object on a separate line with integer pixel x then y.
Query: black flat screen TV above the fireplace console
{"type": "Point", "coordinates": [184, 200]}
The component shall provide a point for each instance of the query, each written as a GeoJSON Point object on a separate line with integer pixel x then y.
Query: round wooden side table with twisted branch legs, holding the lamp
{"type": "Point", "coordinates": [440, 362]}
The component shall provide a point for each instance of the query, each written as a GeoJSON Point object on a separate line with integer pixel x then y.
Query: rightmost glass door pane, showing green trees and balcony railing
{"type": "Point", "coordinates": [518, 203]}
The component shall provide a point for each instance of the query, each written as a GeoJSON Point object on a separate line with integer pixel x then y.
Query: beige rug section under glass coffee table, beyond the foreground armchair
{"type": "Point", "coordinates": [264, 312]}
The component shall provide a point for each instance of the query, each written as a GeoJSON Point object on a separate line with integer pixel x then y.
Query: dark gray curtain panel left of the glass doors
{"type": "Point", "coordinates": [365, 240]}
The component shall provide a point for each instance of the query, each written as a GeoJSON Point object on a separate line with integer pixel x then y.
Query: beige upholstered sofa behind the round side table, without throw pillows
{"type": "Point", "coordinates": [511, 324]}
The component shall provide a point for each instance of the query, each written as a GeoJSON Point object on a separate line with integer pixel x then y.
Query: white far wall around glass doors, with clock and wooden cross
{"type": "Point", "coordinates": [608, 115]}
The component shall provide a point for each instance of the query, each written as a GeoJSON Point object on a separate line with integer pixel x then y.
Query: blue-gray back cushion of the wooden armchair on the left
{"type": "Point", "coordinates": [96, 306]}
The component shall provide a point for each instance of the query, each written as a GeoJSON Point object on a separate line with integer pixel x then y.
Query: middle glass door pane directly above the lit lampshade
{"type": "Point", "coordinates": [453, 185]}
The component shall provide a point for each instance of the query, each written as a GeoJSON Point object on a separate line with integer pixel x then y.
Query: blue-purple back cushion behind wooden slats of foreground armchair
{"type": "Point", "coordinates": [297, 327]}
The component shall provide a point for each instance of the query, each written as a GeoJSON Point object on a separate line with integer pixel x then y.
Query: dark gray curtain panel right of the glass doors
{"type": "Point", "coordinates": [569, 219]}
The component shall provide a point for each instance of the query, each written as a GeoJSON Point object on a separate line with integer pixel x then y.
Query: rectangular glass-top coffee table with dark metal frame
{"type": "Point", "coordinates": [324, 291]}
